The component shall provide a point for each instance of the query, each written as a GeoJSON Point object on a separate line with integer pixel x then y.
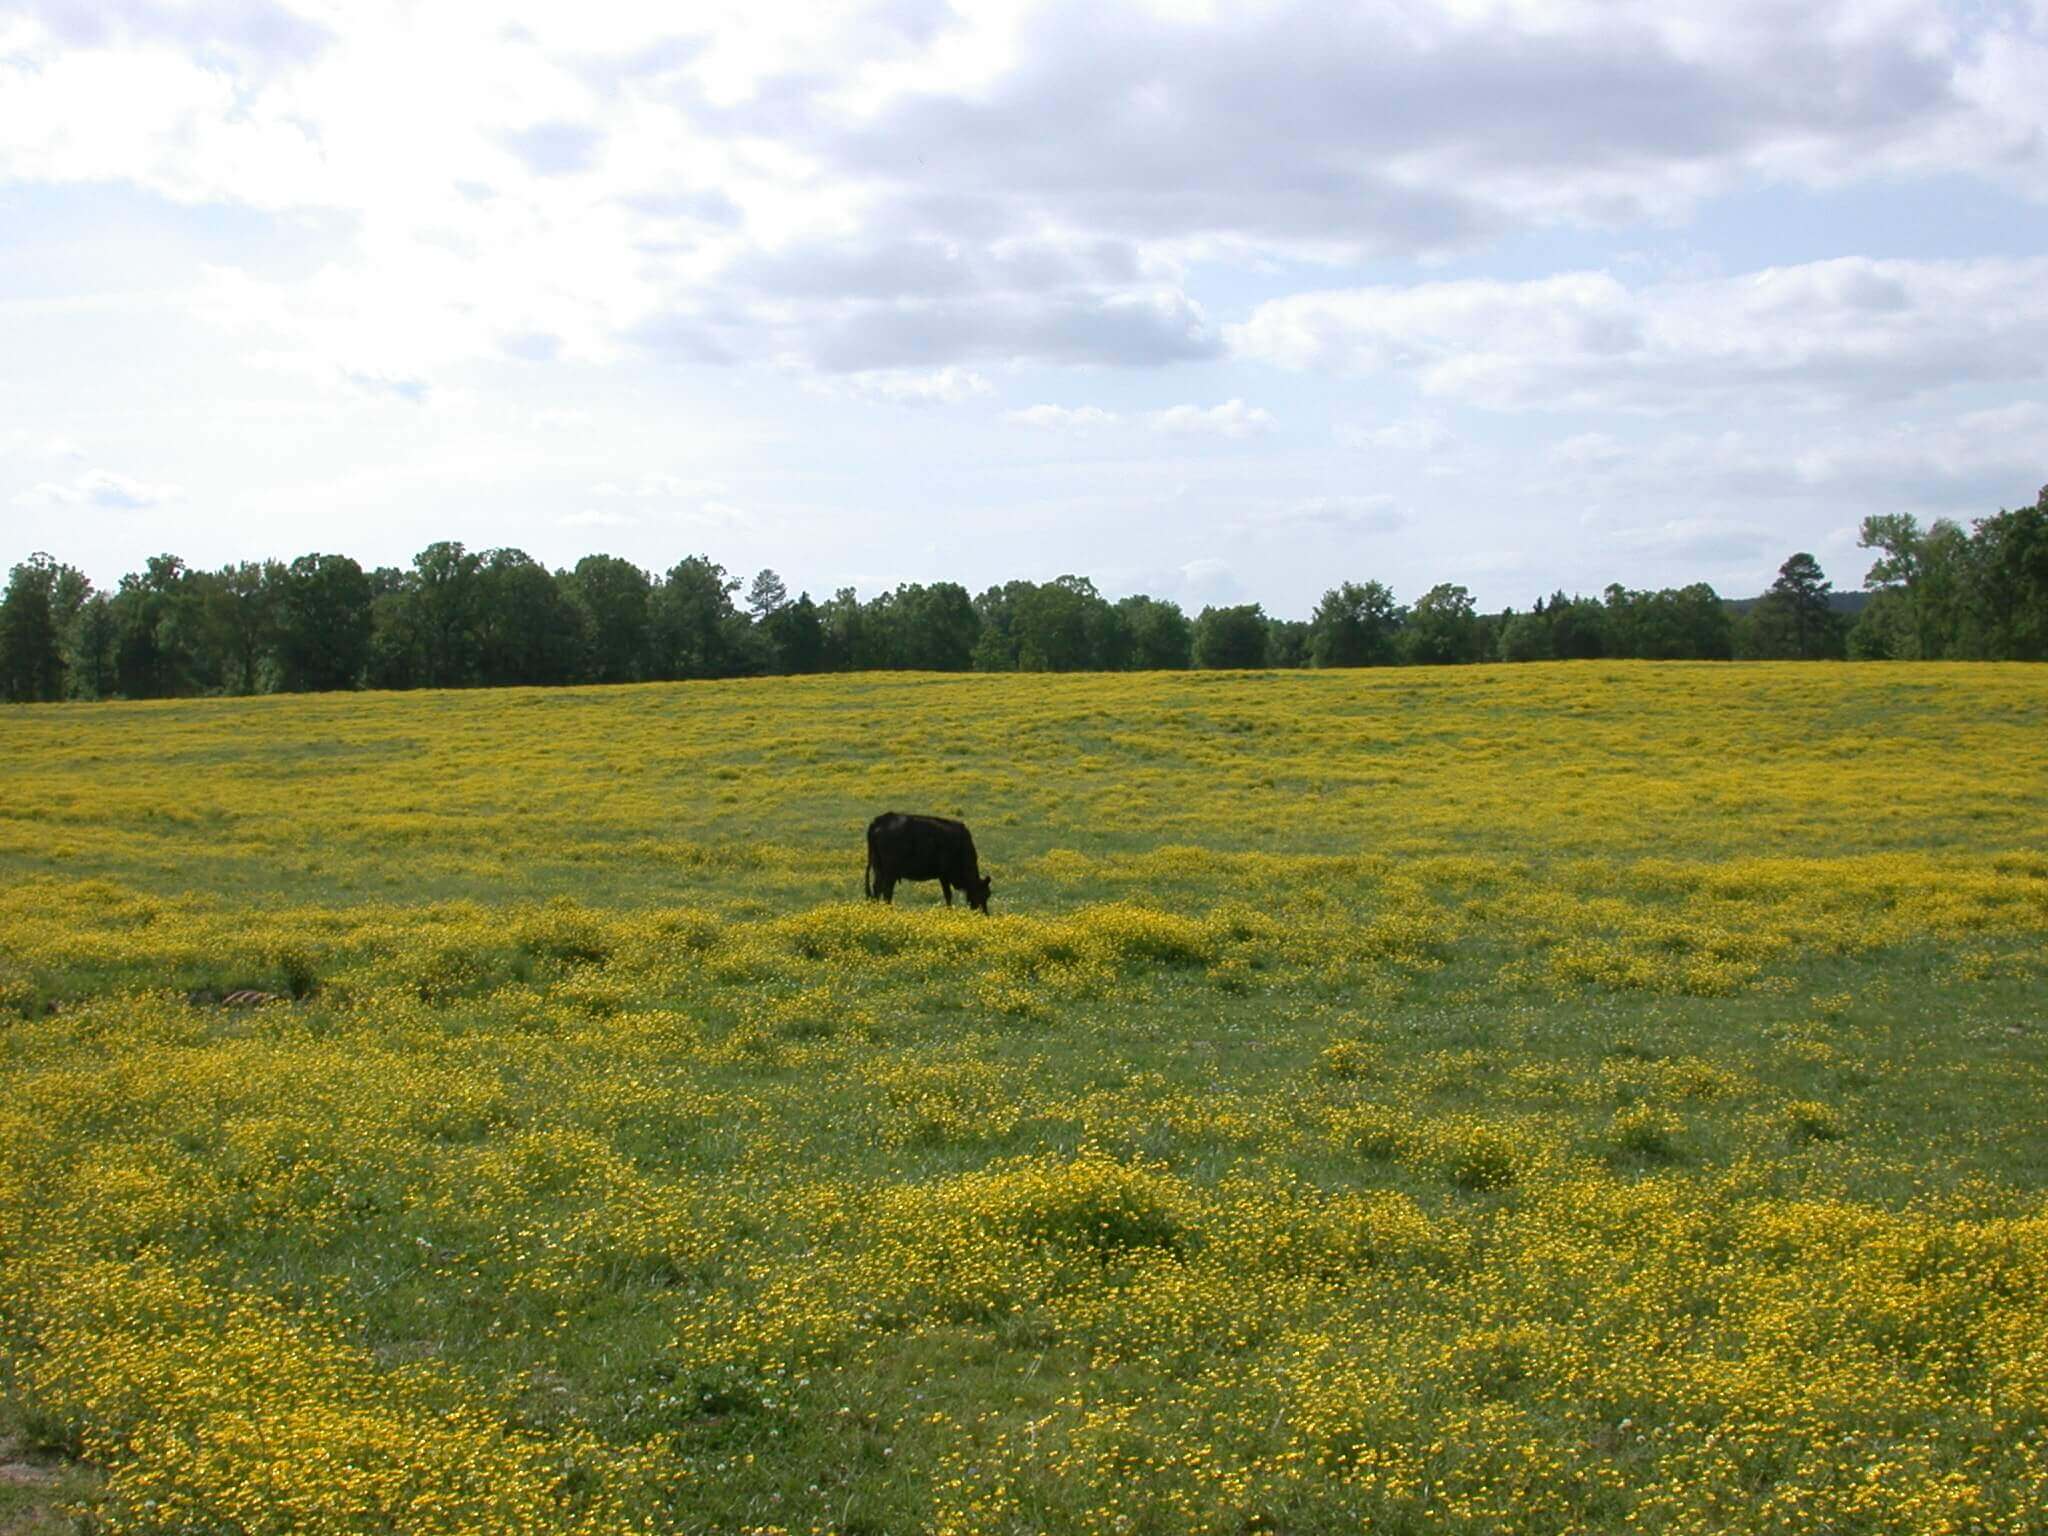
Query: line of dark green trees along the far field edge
{"type": "Point", "coordinates": [460, 617]}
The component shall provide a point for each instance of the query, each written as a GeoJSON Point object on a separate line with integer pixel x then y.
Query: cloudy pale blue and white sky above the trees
{"type": "Point", "coordinates": [1215, 302]}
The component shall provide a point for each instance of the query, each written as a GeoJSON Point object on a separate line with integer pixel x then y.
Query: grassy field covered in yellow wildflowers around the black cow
{"type": "Point", "coordinates": [1560, 1099]}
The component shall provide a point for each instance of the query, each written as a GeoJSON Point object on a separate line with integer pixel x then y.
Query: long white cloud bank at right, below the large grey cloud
{"type": "Point", "coordinates": [1805, 337]}
